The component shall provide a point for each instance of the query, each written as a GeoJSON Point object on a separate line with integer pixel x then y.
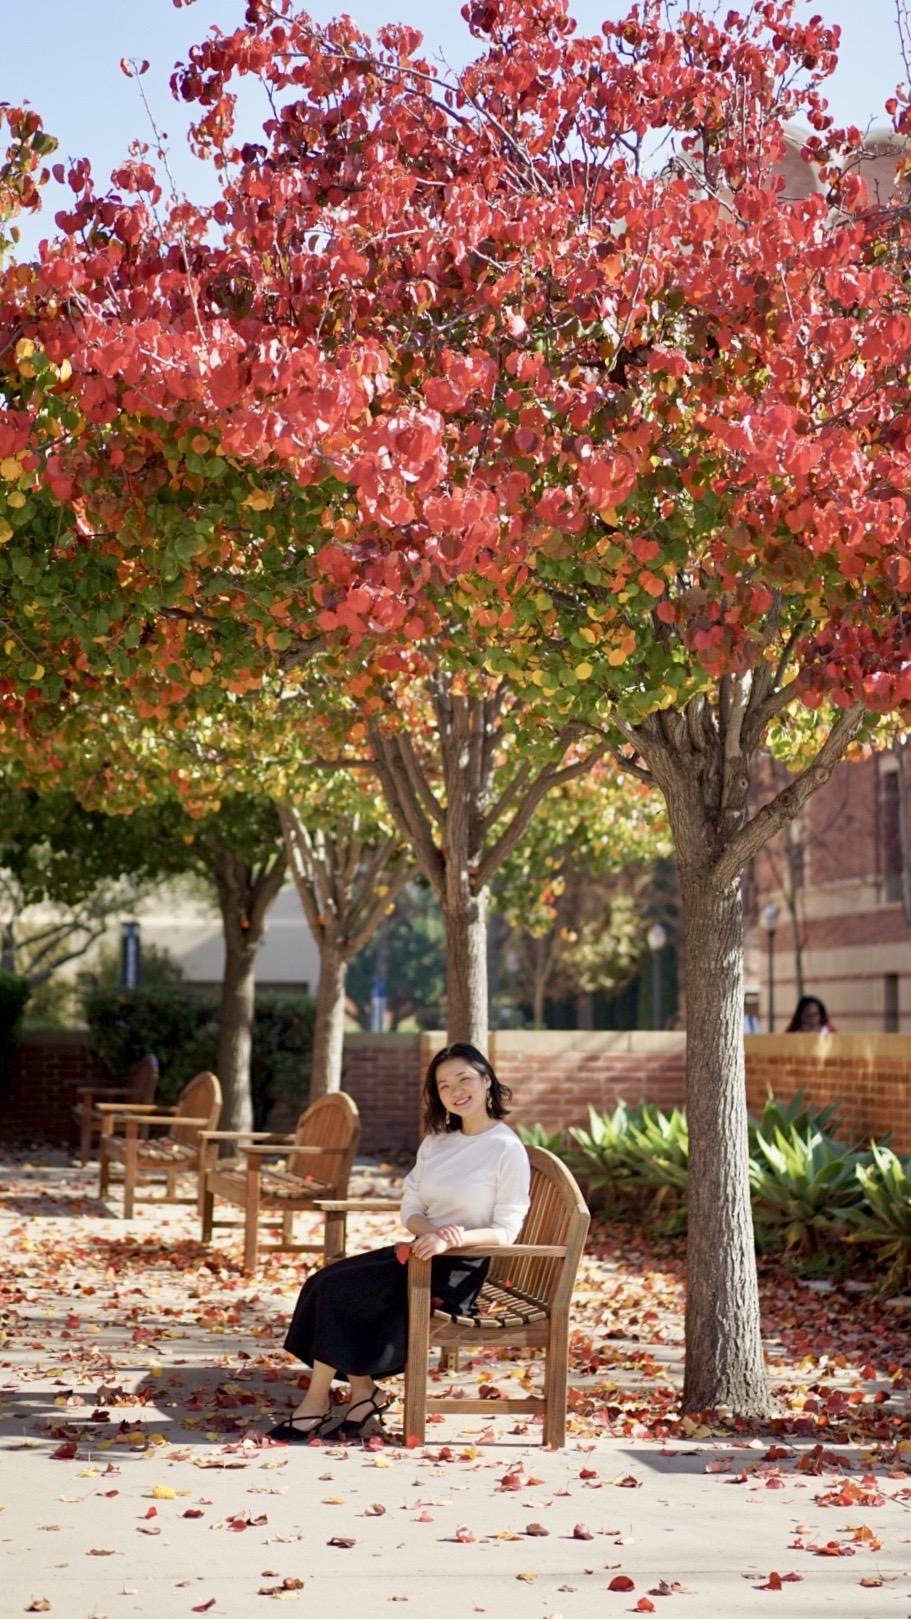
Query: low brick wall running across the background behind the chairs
{"type": "Point", "coordinates": [556, 1077]}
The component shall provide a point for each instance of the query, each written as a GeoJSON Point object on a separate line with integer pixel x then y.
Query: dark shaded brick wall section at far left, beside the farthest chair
{"type": "Point", "coordinates": [38, 1086]}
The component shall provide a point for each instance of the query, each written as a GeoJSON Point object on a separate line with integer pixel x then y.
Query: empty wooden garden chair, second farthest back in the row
{"type": "Point", "coordinates": [174, 1154]}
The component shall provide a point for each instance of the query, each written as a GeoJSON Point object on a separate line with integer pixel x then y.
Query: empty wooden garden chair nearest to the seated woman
{"type": "Point", "coordinates": [318, 1165]}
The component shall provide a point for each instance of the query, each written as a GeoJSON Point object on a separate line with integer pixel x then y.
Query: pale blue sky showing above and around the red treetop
{"type": "Point", "coordinates": [64, 57]}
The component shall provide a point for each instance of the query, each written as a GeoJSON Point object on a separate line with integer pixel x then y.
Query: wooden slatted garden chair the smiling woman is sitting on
{"type": "Point", "coordinates": [523, 1301]}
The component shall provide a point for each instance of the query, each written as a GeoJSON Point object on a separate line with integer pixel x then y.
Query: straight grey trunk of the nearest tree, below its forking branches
{"type": "Point", "coordinates": [724, 1346]}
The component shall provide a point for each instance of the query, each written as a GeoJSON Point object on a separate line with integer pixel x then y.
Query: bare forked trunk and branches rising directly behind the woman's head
{"type": "Point", "coordinates": [462, 804]}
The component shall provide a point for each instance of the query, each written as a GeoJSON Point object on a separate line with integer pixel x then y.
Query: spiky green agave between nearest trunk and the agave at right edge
{"type": "Point", "coordinates": [803, 1186]}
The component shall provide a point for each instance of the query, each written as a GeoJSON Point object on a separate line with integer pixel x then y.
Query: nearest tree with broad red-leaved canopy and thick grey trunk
{"type": "Point", "coordinates": [533, 373]}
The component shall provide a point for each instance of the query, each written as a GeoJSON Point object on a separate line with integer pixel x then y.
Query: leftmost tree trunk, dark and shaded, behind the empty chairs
{"type": "Point", "coordinates": [245, 896]}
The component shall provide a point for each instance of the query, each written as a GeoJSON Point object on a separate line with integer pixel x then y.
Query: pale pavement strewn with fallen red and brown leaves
{"type": "Point", "coordinates": [132, 1349]}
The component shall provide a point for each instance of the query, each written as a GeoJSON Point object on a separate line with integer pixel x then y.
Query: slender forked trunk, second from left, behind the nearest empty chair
{"type": "Point", "coordinates": [347, 883]}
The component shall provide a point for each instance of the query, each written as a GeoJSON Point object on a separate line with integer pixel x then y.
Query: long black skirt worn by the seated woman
{"type": "Point", "coordinates": [354, 1315]}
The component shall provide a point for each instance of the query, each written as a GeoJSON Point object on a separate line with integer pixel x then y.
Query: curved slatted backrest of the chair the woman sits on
{"type": "Point", "coordinates": [557, 1215]}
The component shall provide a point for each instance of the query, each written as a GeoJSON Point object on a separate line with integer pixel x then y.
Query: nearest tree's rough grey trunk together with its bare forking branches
{"type": "Point", "coordinates": [701, 760]}
